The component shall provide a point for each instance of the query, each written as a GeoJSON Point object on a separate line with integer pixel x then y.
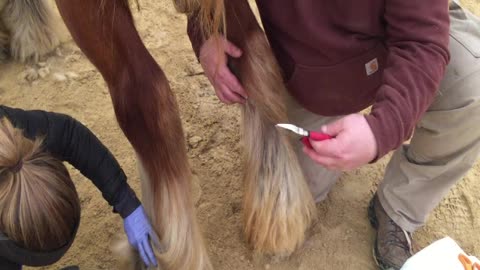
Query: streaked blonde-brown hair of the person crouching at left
{"type": "Point", "coordinates": [39, 203]}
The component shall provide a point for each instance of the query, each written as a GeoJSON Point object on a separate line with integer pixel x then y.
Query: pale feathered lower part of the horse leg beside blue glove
{"type": "Point", "coordinates": [168, 202]}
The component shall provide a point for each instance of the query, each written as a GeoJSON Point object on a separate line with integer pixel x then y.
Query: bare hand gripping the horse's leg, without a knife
{"type": "Point", "coordinates": [213, 57]}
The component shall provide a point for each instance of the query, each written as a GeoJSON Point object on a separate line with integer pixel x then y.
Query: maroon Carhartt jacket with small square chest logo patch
{"type": "Point", "coordinates": [341, 56]}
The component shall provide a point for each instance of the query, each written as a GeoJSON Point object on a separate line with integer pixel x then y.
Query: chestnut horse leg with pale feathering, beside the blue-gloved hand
{"type": "Point", "coordinates": [147, 113]}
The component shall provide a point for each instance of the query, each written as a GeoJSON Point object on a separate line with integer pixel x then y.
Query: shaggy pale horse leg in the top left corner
{"type": "Point", "coordinates": [33, 28]}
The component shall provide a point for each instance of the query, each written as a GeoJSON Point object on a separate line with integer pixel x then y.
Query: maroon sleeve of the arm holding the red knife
{"type": "Point", "coordinates": [417, 42]}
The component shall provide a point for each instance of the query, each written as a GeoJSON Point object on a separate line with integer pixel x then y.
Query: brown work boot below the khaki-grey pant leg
{"type": "Point", "coordinates": [393, 245]}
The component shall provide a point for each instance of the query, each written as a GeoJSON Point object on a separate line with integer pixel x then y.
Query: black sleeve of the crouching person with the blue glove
{"type": "Point", "coordinates": [70, 141]}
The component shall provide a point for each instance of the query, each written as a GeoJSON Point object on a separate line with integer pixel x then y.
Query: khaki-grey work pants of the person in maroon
{"type": "Point", "coordinates": [445, 143]}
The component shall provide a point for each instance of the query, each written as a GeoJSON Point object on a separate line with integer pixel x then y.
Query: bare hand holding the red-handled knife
{"type": "Point", "coordinates": [353, 144]}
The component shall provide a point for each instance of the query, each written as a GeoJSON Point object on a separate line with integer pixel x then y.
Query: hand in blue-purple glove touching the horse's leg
{"type": "Point", "coordinates": [139, 232]}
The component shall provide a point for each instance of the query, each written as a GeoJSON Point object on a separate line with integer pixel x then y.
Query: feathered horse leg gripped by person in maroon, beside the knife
{"type": "Point", "coordinates": [278, 205]}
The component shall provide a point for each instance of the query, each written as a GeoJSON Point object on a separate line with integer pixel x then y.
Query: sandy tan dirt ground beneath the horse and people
{"type": "Point", "coordinates": [342, 239]}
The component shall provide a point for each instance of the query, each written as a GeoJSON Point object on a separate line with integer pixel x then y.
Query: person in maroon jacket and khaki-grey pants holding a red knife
{"type": "Point", "coordinates": [340, 57]}
